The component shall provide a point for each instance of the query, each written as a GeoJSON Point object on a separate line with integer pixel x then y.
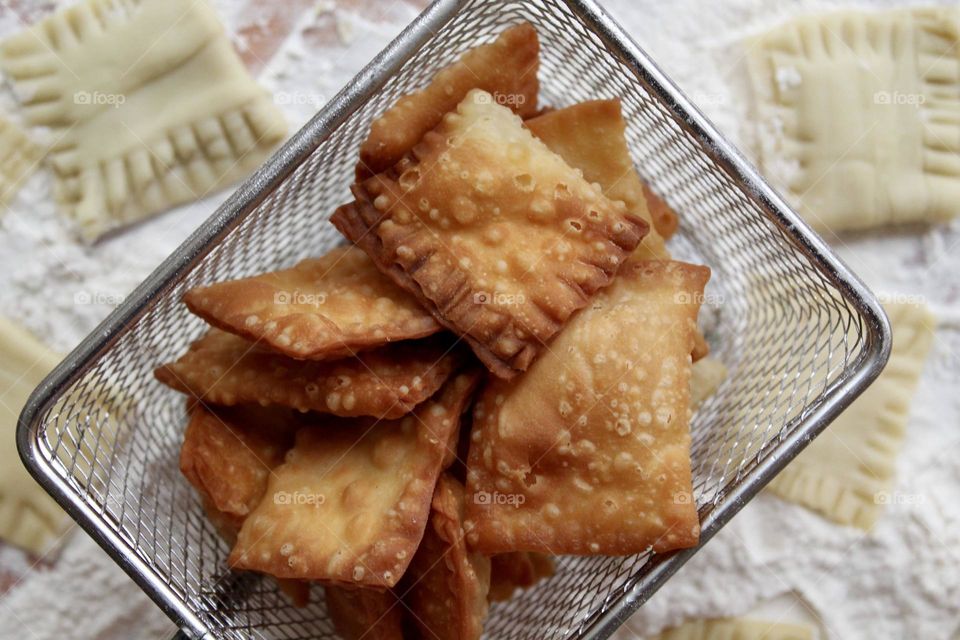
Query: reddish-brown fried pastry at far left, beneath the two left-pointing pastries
{"type": "Point", "coordinates": [228, 454]}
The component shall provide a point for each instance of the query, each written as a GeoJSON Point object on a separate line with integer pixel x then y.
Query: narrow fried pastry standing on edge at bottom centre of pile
{"type": "Point", "coordinates": [448, 596]}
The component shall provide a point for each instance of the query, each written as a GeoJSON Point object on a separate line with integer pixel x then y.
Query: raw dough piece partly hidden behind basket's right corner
{"type": "Point", "coordinates": [847, 472]}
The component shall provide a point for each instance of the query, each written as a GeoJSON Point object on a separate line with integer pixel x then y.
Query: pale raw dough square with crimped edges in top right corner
{"type": "Point", "coordinates": [860, 115]}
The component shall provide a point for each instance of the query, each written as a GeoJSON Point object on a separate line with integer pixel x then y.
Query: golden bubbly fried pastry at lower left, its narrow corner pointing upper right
{"type": "Point", "coordinates": [350, 503]}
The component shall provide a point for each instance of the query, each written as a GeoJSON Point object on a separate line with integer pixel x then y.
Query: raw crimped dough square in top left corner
{"type": "Point", "coordinates": [149, 104]}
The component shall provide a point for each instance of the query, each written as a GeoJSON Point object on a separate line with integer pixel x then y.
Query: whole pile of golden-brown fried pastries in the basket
{"type": "Point", "coordinates": [494, 371]}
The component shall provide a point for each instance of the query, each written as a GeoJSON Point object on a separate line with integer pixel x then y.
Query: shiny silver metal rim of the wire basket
{"type": "Point", "coordinates": [599, 624]}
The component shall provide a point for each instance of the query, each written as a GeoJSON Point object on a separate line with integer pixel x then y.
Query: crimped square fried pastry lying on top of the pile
{"type": "Point", "coordinates": [492, 232]}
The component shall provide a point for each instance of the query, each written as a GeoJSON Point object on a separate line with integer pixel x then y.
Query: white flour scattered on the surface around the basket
{"type": "Point", "coordinates": [899, 581]}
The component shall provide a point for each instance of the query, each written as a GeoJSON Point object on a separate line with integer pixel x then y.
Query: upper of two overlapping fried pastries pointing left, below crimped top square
{"type": "Point", "coordinates": [323, 308]}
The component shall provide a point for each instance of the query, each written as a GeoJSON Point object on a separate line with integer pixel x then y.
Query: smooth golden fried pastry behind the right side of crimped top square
{"type": "Point", "coordinates": [591, 136]}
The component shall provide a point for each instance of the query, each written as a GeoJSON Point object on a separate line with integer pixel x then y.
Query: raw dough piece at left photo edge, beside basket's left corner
{"type": "Point", "coordinates": [29, 517]}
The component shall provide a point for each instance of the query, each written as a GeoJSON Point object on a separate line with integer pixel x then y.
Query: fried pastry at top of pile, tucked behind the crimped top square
{"type": "Point", "coordinates": [506, 69]}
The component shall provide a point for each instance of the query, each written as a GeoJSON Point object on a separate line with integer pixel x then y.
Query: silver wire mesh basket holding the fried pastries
{"type": "Point", "coordinates": [801, 336]}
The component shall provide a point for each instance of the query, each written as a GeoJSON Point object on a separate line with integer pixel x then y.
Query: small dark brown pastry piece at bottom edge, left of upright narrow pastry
{"type": "Point", "coordinates": [365, 614]}
